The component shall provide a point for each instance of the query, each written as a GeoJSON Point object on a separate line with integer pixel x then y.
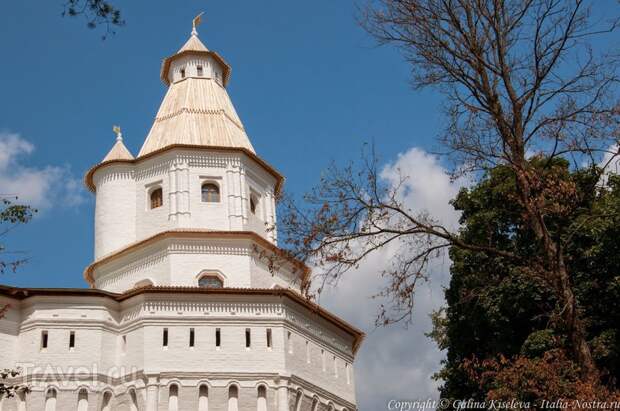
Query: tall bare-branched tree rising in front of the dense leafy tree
{"type": "Point", "coordinates": [520, 79]}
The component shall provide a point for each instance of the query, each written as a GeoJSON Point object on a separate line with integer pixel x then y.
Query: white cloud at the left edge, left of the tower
{"type": "Point", "coordinates": [41, 187]}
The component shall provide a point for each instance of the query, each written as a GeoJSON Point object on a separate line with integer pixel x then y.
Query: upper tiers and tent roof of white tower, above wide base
{"type": "Point", "coordinates": [196, 184]}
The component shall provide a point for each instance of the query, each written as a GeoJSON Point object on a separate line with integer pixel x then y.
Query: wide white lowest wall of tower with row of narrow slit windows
{"type": "Point", "coordinates": [101, 361]}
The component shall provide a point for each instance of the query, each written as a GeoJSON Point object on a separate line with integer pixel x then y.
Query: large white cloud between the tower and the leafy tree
{"type": "Point", "coordinates": [397, 362]}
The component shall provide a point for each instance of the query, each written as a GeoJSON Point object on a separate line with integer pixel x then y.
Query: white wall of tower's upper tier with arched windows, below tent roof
{"type": "Point", "coordinates": [123, 214]}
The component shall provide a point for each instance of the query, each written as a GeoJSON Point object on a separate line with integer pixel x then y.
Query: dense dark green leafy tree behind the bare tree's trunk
{"type": "Point", "coordinates": [501, 318]}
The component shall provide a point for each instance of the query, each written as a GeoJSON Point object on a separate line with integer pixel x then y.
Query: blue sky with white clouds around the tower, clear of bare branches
{"type": "Point", "coordinates": [310, 86]}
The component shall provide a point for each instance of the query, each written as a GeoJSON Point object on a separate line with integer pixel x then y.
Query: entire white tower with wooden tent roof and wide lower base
{"type": "Point", "coordinates": [185, 310]}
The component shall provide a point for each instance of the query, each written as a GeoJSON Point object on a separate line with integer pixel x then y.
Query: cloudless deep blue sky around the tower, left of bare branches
{"type": "Point", "coordinates": [307, 81]}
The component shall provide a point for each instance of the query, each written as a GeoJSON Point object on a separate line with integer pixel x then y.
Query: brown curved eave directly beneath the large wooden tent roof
{"type": "Point", "coordinates": [88, 178]}
